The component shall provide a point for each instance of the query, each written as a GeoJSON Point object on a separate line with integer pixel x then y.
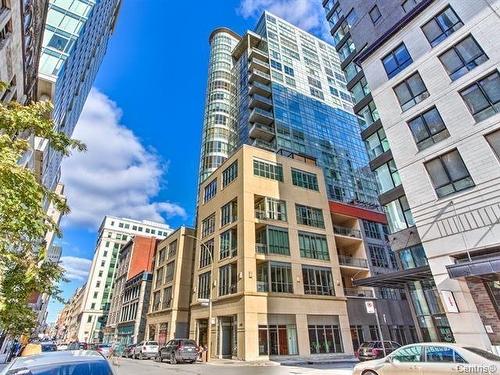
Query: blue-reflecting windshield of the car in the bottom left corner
{"type": "Point", "coordinates": [94, 368]}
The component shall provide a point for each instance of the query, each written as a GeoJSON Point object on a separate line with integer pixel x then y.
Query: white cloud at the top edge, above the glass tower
{"type": "Point", "coordinates": [308, 15]}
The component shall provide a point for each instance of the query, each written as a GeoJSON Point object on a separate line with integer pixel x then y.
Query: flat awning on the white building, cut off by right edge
{"type": "Point", "coordinates": [485, 268]}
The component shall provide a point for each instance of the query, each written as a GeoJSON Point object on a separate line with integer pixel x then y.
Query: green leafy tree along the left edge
{"type": "Point", "coordinates": [24, 269]}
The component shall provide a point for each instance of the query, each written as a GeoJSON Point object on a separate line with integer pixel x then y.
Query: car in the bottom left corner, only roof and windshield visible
{"type": "Point", "coordinates": [65, 362]}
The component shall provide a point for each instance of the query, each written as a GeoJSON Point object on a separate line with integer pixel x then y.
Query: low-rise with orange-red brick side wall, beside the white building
{"type": "Point", "coordinates": [128, 307]}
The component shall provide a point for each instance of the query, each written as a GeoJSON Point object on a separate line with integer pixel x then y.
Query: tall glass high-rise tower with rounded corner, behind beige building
{"type": "Point", "coordinates": [282, 89]}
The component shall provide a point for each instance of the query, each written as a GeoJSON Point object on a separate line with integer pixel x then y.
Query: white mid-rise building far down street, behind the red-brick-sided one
{"type": "Point", "coordinates": [113, 234]}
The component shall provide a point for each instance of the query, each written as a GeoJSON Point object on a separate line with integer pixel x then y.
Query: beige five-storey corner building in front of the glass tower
{"type": "Point", "coordinates": [276, 284]}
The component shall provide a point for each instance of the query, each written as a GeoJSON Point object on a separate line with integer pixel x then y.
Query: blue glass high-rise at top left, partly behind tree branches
{"type": "Point", "coordinates": [75, 41]}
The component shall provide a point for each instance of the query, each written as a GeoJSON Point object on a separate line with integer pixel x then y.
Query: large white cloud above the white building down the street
{"type": "Point", "coordinates": [117, 175]}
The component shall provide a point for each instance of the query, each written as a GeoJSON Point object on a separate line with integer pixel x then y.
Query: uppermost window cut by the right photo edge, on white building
{"type": "Point", "coordinates": [483, 97]}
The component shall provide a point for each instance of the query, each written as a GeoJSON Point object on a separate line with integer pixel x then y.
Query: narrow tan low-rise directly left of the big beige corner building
{"type": "Point", "coordinates": [168, 315]}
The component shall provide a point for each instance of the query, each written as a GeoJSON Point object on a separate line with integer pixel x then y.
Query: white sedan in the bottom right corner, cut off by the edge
{"type": "Point", "coordinates": [432, 359]}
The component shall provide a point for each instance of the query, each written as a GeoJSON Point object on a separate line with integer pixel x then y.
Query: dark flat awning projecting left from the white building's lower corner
{"type": "Point", "coordinates": [396, 279]}
